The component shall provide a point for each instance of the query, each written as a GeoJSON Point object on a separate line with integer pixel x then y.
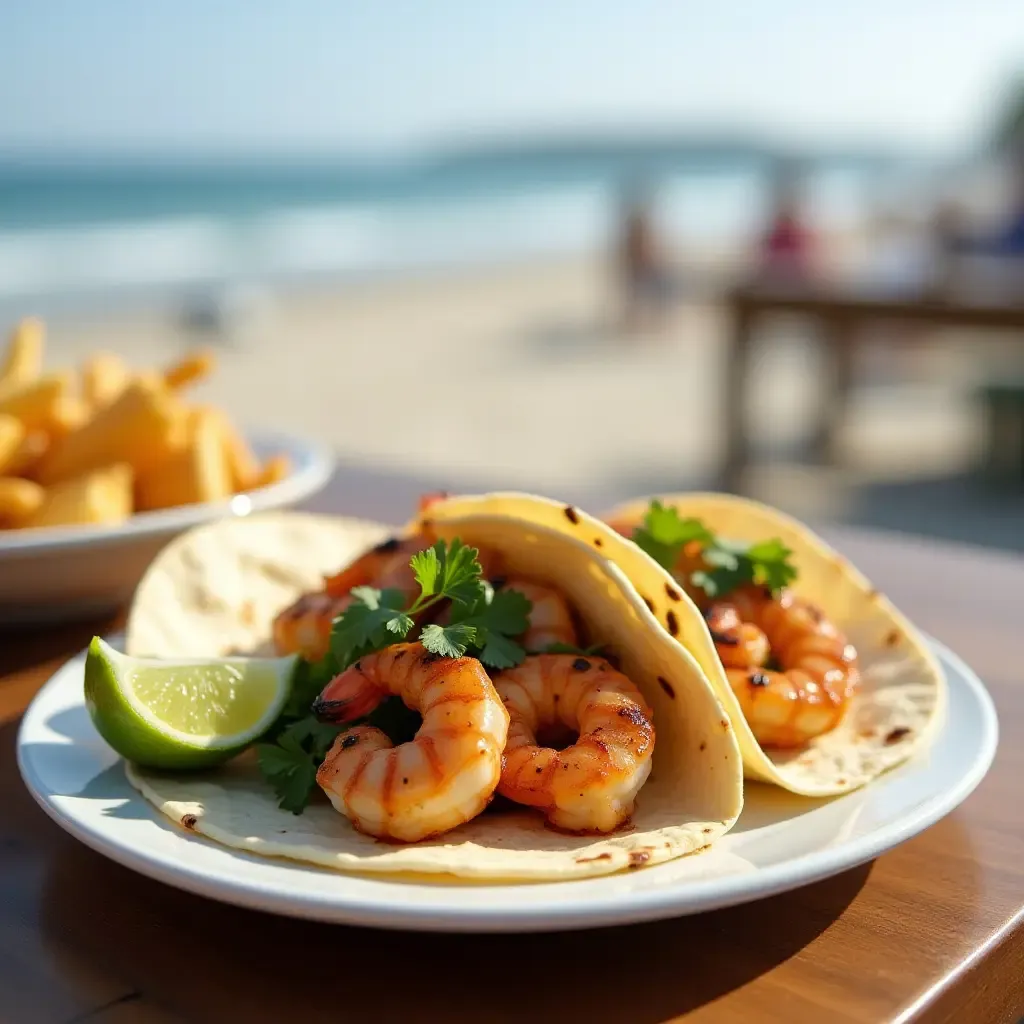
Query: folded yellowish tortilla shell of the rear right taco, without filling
{"type": "Point", "coordinates": [901, 701]}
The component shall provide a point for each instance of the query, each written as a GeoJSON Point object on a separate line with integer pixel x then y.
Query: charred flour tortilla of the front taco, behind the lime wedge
{"type": "Point", "coordinates": [693, 797]}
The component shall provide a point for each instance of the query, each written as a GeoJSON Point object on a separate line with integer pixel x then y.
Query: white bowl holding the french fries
{"type": "Point", "coordinates": [65, 573]}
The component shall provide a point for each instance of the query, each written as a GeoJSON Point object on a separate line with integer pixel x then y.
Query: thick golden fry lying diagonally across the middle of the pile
{"type": "Point", "coordinates": [143, 428]}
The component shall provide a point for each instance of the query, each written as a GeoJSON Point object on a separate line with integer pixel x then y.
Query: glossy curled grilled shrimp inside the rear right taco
{"type": "Point", "coordinates": [819, 676]}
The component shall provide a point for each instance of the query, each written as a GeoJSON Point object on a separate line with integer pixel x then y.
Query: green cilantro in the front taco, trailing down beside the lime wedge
{"type": "Point", "coordinates": [481, 621]}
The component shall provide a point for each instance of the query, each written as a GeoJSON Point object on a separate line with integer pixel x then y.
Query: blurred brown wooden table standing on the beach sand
{"type": "Point", "coordinates": [841, 316]}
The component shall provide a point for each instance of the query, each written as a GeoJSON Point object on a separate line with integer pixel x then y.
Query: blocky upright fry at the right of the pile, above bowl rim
{"type": "Point", "coordinates": [198, 474]}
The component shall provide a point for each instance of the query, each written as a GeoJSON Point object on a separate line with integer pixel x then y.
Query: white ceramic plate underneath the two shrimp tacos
{"type": "Point", "coordinates": [781, 842]}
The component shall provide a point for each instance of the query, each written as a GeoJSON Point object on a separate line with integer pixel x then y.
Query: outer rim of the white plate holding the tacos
{"type": "Point", "coordinates": [622, 909]}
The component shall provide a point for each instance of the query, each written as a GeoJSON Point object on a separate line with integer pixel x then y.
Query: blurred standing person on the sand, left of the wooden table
{"type": "Point", "coordinates": [643, 264]}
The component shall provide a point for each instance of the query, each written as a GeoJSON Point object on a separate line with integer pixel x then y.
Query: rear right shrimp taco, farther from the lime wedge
{"type": "Point", "coordinates": [827, 684]}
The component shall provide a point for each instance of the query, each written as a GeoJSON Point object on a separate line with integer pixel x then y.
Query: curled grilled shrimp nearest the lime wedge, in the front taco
{"type": "Point", "coordinates": [443, 778]}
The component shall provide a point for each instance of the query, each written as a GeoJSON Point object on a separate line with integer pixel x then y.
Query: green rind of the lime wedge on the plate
{"type": "Point", "coordinates": [126, 729]}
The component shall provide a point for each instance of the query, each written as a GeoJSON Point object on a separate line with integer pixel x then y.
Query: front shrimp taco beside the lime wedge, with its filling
{"type": "Point", "coordinates": [479, 695]}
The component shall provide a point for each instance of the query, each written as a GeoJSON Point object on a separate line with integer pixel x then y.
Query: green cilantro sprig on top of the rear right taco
{"type": "Point", "coordinates": [727, 565]}
